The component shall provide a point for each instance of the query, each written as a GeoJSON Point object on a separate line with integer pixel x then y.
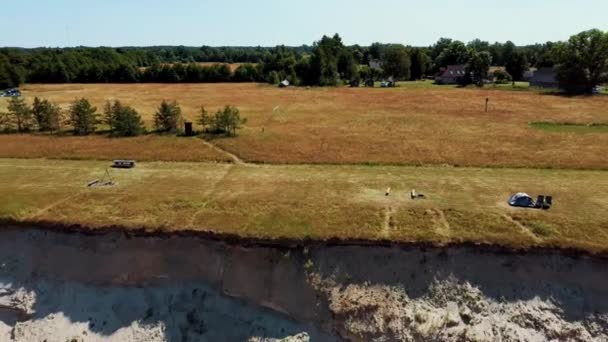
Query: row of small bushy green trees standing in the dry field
{"type": "Point", "coordinates": [120, 120]}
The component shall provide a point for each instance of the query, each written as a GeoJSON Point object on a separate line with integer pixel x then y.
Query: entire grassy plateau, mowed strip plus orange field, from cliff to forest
{"type": "Point", "coordinates": [315, 163]}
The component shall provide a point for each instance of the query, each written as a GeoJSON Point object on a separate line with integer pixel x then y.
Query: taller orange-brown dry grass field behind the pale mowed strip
{"type": "Point", "coordinates": [416, 124]}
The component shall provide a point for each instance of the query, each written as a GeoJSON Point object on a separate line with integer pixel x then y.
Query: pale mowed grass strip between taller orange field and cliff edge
{"type": "Point", "coordinates": [319, 202]}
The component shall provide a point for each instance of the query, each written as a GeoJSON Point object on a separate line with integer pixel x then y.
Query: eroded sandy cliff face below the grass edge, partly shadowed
{"type": "Point", "coordinates": [63, 286]}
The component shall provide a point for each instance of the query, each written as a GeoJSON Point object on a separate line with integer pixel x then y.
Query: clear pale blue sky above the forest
{"type": "Point", "coordinates": [35, 23]}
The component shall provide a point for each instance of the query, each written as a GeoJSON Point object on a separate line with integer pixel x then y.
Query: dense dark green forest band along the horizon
{"type": "Point", "coordinates": [581, 61]}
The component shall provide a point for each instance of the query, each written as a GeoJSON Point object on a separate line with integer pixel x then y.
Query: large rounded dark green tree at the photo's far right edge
{"type": "Point", "coordinates": [582, 62]}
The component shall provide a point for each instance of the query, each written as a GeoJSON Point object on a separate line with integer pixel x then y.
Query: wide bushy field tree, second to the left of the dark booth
{"type": "Point", "coordinates": [123, 121]}
